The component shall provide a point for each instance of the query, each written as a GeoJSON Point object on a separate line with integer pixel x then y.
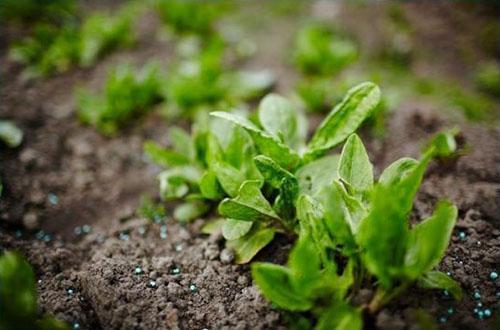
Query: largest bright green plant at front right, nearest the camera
{"type": "Point", "coordinates": [363, 225]}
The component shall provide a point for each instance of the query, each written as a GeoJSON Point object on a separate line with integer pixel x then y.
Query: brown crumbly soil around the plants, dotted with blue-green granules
{"type": "Point", "coordinates": [66, 176]}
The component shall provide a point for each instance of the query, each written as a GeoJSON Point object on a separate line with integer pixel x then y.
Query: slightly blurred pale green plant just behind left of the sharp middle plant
{"type": "Point", "coordinates": [205, 167]}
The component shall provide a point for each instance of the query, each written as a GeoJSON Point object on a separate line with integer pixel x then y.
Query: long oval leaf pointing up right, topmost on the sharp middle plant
{"type": "Point", "coordinates": [344, 119]}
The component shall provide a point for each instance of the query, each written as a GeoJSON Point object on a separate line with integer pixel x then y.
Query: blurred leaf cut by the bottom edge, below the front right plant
{"type": "Point", "coordinates": [340, 316]}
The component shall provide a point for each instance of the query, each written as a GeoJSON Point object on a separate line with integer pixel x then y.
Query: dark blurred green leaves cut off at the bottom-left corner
{"type": "Point", "coordinates": [18, 296]}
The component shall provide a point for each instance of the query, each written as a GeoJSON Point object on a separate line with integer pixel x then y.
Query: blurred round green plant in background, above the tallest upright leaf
{"type": "Point", "coordinates": [320, 52]}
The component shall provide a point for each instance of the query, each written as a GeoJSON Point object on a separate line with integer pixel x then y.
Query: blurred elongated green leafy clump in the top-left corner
{"type": "Point", "coordinates": [54, 49]}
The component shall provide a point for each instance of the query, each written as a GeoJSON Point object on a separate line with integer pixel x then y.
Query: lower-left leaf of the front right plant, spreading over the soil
{"type": "Point", "coordinates": [274, 283]}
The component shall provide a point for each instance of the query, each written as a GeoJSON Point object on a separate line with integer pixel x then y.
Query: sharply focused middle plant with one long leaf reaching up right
{"type": "Point", "coordinates": [288, 166]}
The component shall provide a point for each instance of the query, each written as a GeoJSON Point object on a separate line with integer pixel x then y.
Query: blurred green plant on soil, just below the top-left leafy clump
{"type": "Point", "coordinates": [127, 94]}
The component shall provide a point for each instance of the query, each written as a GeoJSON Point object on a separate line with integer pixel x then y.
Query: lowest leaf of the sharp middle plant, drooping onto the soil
{"type": "Point", "coordinates": [248, 246]}
